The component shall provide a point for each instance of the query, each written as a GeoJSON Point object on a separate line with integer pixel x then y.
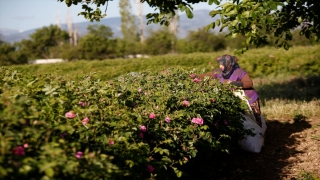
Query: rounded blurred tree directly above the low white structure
{"type": "Point", "coordinates": [42, 41]}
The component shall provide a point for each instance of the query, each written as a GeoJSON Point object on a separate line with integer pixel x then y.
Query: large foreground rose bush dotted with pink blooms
{"type": "Point", "coordinates": [137, 126]}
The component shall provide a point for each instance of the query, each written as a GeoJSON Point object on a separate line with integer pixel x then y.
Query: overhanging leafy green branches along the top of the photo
{"type": "Point", "coordinates": [254, 19]}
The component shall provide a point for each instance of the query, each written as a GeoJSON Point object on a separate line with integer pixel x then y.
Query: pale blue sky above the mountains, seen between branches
{"type": "Point", "coordinates": [24, 15]}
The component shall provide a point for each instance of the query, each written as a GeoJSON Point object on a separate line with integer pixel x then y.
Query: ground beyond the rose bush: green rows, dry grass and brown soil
{"type": "Point", "coordinates": [288, 85]}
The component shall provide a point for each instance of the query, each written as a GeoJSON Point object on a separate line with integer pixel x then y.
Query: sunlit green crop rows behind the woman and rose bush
{"type": "Point", "coordinates": [298, 61]}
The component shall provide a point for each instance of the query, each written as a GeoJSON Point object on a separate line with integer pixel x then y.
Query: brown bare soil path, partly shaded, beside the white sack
{"type": "Point", "coordinates": [291, 151]}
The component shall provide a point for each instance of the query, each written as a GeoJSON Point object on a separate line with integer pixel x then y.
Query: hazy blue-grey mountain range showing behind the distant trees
{"type": "Point", "coordinates": [201, 18]}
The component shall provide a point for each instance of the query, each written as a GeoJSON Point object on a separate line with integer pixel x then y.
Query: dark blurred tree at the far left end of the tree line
{"type": "Point", "coordinates": [10, 56]}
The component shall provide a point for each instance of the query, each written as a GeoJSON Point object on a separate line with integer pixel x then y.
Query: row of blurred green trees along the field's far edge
{"type": "Point", "coordinates": [99, 43]}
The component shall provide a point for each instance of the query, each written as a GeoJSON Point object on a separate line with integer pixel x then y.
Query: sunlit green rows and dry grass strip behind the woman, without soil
{"type": "Point", "coordinates": [286, 80]}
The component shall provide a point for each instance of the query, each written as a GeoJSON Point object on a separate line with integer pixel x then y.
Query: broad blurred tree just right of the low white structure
{"type": "Point", "coordinates": [97, 44]}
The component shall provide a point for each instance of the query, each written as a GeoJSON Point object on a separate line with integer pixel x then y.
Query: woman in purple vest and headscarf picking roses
{"type": "Point", "coordinates": [231, 73]}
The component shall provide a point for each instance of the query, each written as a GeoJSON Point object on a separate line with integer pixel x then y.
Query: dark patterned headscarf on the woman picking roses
{"type": "Point", "coordinates": [229, 63]}
